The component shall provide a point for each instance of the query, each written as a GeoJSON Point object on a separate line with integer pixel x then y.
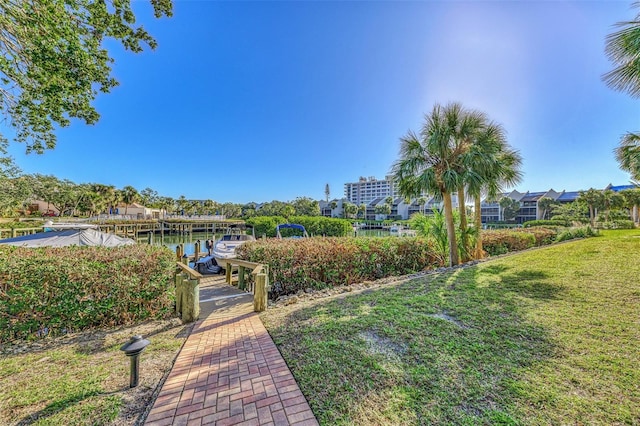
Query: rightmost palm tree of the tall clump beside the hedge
{"type": "Point", "coordinates": [492, 165]}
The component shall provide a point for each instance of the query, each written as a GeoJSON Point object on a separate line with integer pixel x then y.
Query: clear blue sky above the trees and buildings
{"type": "Point", "coordinates": [256, 101]}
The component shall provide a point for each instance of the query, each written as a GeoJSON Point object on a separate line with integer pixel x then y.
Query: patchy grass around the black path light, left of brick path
{"type": "Point", "coordinates": [83, 379]}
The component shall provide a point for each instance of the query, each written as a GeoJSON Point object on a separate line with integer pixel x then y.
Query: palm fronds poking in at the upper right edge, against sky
{"type": "Point", "coordinates": [623, 49]}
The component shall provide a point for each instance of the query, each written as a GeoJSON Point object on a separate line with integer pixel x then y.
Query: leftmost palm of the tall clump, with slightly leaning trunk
{"type": "Point", "coordinates": [430, 163]}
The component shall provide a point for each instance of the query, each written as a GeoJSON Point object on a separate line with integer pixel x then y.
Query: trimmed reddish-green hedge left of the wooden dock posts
{"type": "Point", "coordinates": [54, 290]}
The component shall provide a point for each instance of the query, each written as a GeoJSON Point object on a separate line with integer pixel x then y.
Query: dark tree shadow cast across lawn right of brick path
{"type": "Point", "coordinates": [447, 375]}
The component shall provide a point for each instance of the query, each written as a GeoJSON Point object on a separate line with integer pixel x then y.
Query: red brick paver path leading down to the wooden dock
{"type": "Point", "coordinates": [229, 371]}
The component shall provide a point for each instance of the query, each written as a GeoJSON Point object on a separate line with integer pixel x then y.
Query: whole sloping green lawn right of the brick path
{"type": "Point", "coordinates": [545, 337]}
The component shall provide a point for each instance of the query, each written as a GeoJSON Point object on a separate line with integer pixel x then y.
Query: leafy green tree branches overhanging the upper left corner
{"type": "Point", "coordinates": [53, 61]}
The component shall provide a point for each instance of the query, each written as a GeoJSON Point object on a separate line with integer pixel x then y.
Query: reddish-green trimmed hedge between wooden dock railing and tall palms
{"type": "Point", "coordinates": [327, 262]}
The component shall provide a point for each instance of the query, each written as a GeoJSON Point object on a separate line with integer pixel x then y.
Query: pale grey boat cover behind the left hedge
{"type": "Point", "coordinates": [69, 237]}
